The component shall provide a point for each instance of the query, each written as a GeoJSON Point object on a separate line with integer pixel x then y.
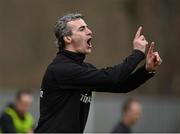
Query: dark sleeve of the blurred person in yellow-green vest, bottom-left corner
{"type": "Point", "coordinates": [7, 124]}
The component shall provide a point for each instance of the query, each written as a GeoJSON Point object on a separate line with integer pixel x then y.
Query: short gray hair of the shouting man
{"type": "Point", "coordinates": [61, 29]}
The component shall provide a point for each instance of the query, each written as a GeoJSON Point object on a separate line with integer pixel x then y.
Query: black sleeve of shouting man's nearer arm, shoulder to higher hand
{"type": "Point", "coordinates": [74, 76]}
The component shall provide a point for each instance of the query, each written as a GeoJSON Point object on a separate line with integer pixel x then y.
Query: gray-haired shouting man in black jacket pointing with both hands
{"type": "Point", "coordinates": [68, 82]}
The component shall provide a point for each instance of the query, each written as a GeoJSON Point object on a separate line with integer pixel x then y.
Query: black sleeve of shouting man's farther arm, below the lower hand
{"type": "Point", "coordinates": [136, 79]}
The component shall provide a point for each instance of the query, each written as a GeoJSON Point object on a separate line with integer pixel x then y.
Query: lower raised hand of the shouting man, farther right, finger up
{"type": "Point", "coordinates": [153, 60]}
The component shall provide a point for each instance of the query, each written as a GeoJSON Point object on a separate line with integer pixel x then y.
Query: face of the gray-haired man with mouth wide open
{"type": "Point", "coordinates": [80, 38]}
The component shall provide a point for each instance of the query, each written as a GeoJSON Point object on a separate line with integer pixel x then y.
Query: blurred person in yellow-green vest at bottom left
{"type": "Point", "coordinates": [16, 118]}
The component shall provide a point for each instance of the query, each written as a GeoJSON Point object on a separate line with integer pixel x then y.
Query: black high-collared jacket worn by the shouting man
{"type": "Point", "coordinates": [68, 83]}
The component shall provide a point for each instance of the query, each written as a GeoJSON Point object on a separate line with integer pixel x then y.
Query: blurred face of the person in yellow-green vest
{"type": "Point", "coordinates": [23, 103]}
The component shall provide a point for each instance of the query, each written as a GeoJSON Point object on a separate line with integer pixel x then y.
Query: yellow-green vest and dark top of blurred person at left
{"type": "Point", "coordinates": [12, 122]}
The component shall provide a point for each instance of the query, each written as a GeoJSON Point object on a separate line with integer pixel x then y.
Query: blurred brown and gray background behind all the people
{"type": "Point", "coordinates": [27, 46]}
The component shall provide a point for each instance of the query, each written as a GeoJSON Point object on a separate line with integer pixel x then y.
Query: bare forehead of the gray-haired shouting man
{"type": "Point", "coordinates": [76, 23]}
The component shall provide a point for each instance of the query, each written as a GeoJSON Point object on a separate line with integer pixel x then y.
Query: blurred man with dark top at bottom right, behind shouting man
{"type": "Point", "coordinates": [131, 112]}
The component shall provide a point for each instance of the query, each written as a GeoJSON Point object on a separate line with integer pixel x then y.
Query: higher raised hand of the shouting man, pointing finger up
{"type": "Point", "coordinates": [140, 42]}
